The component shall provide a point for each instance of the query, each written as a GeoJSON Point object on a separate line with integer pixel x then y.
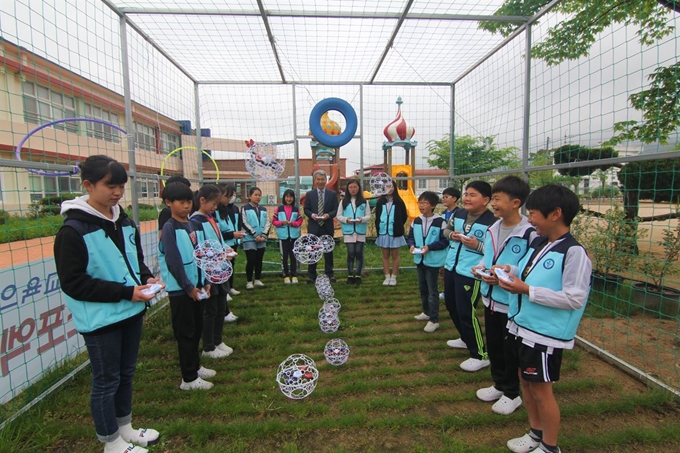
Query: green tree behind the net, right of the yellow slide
{"type": "Point", "coordinates": [471, 155]}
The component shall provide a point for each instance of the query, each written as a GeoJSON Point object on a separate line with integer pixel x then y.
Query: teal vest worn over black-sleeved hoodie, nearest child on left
{"type": "Point", "coordinates": [106, 262]}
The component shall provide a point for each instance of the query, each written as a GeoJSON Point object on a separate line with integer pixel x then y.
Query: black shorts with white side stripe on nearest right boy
{"type": "Point", "coordinates": [538, 363]}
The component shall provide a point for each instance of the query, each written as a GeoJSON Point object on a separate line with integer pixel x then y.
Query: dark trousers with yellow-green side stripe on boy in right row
{"type": "Point", "coordinates": [462, 295]}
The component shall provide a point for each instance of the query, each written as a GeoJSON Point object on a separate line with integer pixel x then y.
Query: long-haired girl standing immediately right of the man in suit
{"type": "Point", "coordinates": [354, 215]}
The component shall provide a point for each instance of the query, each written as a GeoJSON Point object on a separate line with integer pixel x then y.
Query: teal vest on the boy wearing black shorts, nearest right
{"type": "Point", "coordinates": [546, 272]}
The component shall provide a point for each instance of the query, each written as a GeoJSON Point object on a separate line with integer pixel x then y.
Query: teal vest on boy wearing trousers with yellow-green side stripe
{"type": "Point", "coordinates": [460, 258]}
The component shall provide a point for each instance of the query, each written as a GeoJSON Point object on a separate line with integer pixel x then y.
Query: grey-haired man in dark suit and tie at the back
{"type": "Point", "coordinates": [321, 207]}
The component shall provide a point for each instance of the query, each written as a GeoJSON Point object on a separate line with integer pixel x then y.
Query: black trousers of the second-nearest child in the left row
{"type": "Point", "coordinates": [187, 325]}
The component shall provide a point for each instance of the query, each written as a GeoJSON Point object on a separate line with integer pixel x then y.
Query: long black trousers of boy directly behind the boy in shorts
{"type": "Point", "coordinates": [505, 377]}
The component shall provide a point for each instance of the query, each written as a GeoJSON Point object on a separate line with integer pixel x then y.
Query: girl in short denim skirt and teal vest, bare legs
{"type": "Point", "coordinates": [390, 217]}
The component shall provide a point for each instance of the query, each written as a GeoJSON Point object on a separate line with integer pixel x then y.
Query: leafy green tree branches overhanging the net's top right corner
{"type": "Point", "coordinates": [572, 39]}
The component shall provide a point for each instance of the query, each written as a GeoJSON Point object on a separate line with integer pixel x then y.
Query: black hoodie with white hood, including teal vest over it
{"type": "Point", "coordinates": [90, 248]}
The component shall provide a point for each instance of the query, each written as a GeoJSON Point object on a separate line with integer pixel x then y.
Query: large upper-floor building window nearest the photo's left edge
{"type": "Point", "coordinates": [42, 105]}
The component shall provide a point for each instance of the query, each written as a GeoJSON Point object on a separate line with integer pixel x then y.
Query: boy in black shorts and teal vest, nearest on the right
{"type": "Point", "coordinates": [553, 281]}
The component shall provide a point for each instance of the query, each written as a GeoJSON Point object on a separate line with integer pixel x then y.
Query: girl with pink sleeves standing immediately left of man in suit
{"type": "Point", "coordinates": [287, 221]}
